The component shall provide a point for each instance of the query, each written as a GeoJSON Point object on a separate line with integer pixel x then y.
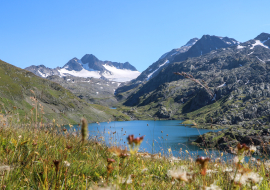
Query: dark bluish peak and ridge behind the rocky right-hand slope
{"type": "Point", "coordinates": [194, 48]}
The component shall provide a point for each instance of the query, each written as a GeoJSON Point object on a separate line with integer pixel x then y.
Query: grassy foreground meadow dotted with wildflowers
{"type": "Point", "coordinates": [38, 156]}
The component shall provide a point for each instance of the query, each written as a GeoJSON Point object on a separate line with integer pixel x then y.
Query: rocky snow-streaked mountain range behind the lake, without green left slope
{"type": "Point", "coordinates": [234, 72]}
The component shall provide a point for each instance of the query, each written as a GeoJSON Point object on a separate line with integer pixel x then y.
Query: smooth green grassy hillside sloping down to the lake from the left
{"type": "Point", "coordinates": [18, 88]}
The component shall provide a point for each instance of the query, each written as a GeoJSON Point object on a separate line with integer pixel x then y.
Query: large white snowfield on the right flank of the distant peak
{"type": "Point", "coordinates": [120, 75]}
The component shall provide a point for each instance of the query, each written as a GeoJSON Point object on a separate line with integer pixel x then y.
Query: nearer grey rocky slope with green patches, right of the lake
{"type": "Point", "coordinates": [237, 76]}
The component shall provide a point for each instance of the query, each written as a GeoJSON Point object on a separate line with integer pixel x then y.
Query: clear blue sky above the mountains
{"type": "Point", "coordinates": [51, 32]}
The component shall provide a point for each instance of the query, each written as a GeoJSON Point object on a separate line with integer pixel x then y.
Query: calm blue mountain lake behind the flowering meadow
{"type": "Point", "coordinates": [159, 136]}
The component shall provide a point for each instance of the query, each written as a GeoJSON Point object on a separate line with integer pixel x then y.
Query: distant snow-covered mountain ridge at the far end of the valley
{"type": "Point", "coordinates": [89, 66]}
